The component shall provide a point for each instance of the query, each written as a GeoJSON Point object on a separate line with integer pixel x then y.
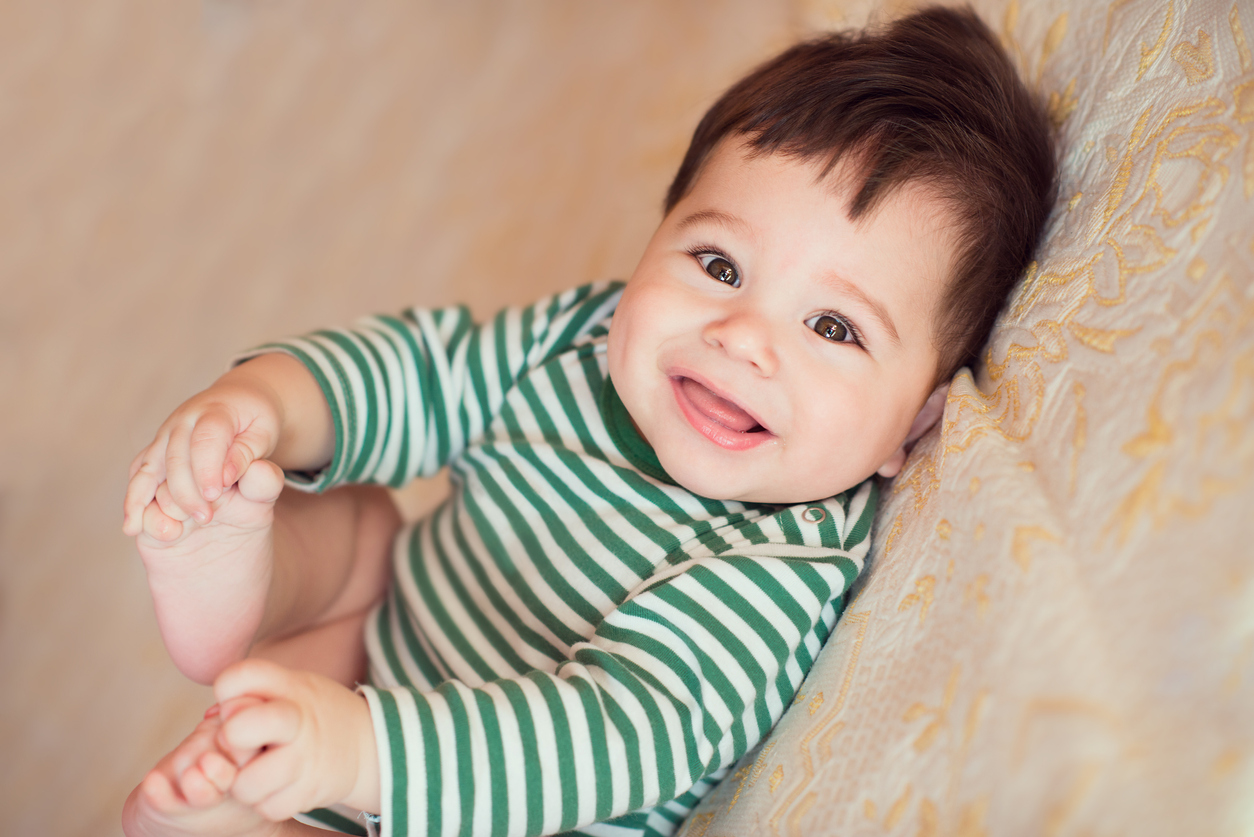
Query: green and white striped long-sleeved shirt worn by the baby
{"type": "Point", "coordinates": [572, 638]}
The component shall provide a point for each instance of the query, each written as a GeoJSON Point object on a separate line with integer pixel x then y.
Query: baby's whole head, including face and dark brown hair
{"type": "Point", "coordinates": [845, 228]}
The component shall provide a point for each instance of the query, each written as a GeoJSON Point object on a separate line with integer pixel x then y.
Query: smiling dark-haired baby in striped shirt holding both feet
{"type": "Point", "coordinates": [663, 490]}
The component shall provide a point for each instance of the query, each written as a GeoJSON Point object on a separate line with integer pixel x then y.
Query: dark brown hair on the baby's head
{"type": "Point", "coordinates": [932, 99]}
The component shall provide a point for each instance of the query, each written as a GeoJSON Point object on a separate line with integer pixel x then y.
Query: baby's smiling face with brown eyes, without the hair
{"type": "Point", "coordinates": [771, 349]}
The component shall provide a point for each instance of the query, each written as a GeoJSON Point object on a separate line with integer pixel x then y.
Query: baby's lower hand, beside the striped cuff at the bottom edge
{"type": "Point", "coordinates": [314, 741]}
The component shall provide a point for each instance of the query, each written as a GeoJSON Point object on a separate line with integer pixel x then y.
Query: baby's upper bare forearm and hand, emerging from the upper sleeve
{"type": "Point", "coordinates": [268, 408]}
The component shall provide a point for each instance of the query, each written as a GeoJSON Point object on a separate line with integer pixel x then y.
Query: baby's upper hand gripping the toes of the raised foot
{"type": "Point", "coordinates": [203, 450]}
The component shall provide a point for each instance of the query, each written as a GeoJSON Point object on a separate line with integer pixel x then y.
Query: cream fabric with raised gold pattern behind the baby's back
{"type": "Point", "coordinates": [1056, 636]}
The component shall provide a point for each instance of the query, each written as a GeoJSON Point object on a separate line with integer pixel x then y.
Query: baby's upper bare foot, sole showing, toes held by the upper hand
{"type": "Point", "coordinates": [210, 582]}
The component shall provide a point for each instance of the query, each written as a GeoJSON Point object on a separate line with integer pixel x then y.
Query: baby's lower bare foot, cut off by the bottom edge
{"type": "Point", "coordinates": [187, 795]}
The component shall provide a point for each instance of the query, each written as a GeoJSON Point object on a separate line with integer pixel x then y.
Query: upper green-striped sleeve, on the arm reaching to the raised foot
{"type": "Point", "coordinates": [408, 393]}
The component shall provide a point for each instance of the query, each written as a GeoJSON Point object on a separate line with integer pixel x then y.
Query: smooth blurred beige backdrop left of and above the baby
{"type": "Point", "coordinates": [182, 180]}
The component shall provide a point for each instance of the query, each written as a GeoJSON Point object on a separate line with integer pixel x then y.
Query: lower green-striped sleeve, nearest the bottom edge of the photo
{"type": "Point", "coordinates": [674, 686]}
